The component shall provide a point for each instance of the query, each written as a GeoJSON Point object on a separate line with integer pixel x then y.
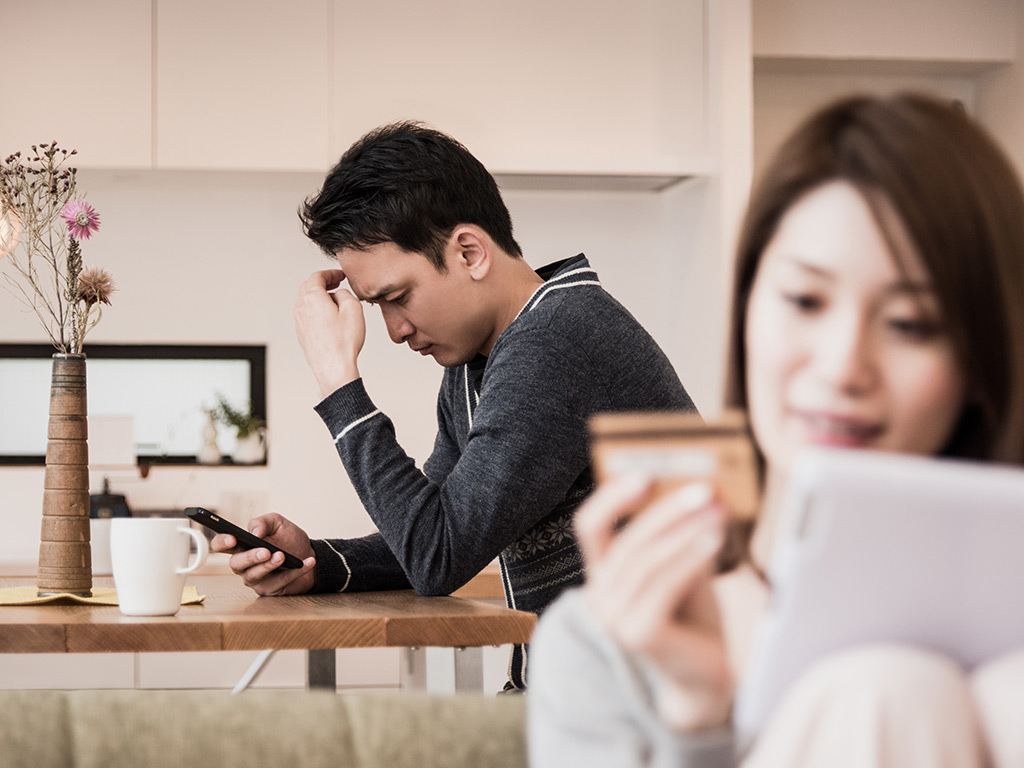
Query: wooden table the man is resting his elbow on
{"type": "Point", "coordinates": [234, 618]}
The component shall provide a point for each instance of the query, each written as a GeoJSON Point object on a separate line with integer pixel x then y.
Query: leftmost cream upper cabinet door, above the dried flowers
{"type": "Point", "coordinates": [80, 74]}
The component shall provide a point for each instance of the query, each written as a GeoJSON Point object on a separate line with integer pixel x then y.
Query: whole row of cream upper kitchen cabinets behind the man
{"type": "Point", "coordinates": [568, 96]}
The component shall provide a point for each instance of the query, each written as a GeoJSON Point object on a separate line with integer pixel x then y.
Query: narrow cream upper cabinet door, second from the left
{"type": "Point", "coordinates": [242, 84]}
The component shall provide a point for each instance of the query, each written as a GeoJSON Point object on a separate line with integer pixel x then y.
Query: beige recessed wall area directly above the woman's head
{"type": "Point", "coordinates": [808, 53]}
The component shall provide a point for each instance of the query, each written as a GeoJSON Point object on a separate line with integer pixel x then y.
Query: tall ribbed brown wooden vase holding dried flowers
{"type": "Point", "coordinates": [65, 558]}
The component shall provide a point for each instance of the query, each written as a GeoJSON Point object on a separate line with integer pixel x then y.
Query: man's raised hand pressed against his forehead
{"type": "Point", "coordinates": [331, 330]}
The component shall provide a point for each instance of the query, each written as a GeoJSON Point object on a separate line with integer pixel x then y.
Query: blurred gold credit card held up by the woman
{"type": "Point", "coordinates": [676, 448]}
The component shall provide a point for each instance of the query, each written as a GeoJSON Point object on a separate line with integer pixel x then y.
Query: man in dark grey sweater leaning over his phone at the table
{"type": "Point", "coordinates": [418, 228]}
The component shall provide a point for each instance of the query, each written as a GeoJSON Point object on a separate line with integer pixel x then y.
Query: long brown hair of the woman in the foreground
{"type": "Point", "coordinates": [959, 199]}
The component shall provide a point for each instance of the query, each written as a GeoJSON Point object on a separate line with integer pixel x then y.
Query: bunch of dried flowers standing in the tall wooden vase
{"type": "Point", "coordinates": [41, 226]}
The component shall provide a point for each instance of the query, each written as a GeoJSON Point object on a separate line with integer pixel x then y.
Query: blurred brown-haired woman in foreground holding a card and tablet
{"type": "Point", "coordinates": [877, 307]}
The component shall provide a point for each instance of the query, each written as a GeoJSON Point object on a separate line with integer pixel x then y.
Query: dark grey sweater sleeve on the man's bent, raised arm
{"type": "Point", "coordinates": [526, 448]}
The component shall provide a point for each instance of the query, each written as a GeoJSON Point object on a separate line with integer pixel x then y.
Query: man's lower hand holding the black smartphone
{"type": "Point", "coordinates": [263, 572]}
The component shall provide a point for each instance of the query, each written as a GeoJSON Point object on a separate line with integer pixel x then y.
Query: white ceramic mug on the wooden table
{"type": "Point", "coordinates": [150, 557]}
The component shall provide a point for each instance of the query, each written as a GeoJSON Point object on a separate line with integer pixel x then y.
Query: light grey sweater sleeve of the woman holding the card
{"type": "Point", "coordinates": [590, 705]}
